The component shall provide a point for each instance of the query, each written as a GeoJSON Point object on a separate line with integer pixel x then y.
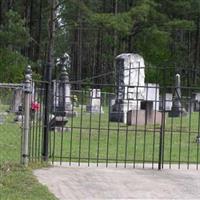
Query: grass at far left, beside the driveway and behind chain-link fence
{"type": "Point", "coordinates": [16, 182]}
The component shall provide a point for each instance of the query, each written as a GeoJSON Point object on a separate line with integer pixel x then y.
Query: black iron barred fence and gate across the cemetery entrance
{"type": "Point", "coordinates": [135, 124]}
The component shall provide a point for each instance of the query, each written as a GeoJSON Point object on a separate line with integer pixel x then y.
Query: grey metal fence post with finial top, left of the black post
{"type": "Point", "coordinates": [27, 97]}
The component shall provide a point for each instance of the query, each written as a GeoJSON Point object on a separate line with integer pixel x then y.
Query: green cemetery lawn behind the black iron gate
{"type": "Point", "coordinates": [93, 138]}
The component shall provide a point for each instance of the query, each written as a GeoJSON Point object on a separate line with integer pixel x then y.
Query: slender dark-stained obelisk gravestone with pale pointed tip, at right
{"type": "Point", "coordinates": [177, 108]}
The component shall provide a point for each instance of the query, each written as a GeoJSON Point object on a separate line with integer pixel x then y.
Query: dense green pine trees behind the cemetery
{"type": "Point", "coordinates": [93, 32]}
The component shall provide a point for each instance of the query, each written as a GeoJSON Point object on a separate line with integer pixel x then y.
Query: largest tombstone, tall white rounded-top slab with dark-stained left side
{"type": "Point", "coordinates": [130, 76]}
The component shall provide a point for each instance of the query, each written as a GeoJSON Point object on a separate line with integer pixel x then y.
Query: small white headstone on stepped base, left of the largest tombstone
{"type": "Point", "coordinates": [94, 105]}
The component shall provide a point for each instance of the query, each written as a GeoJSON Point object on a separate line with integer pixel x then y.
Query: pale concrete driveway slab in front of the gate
{"type": "Point", "coordinates": [119, 183]}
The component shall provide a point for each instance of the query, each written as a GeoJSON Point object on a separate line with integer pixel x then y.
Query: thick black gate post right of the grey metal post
{"type": "Point", "coordinates": [47, 97]}
